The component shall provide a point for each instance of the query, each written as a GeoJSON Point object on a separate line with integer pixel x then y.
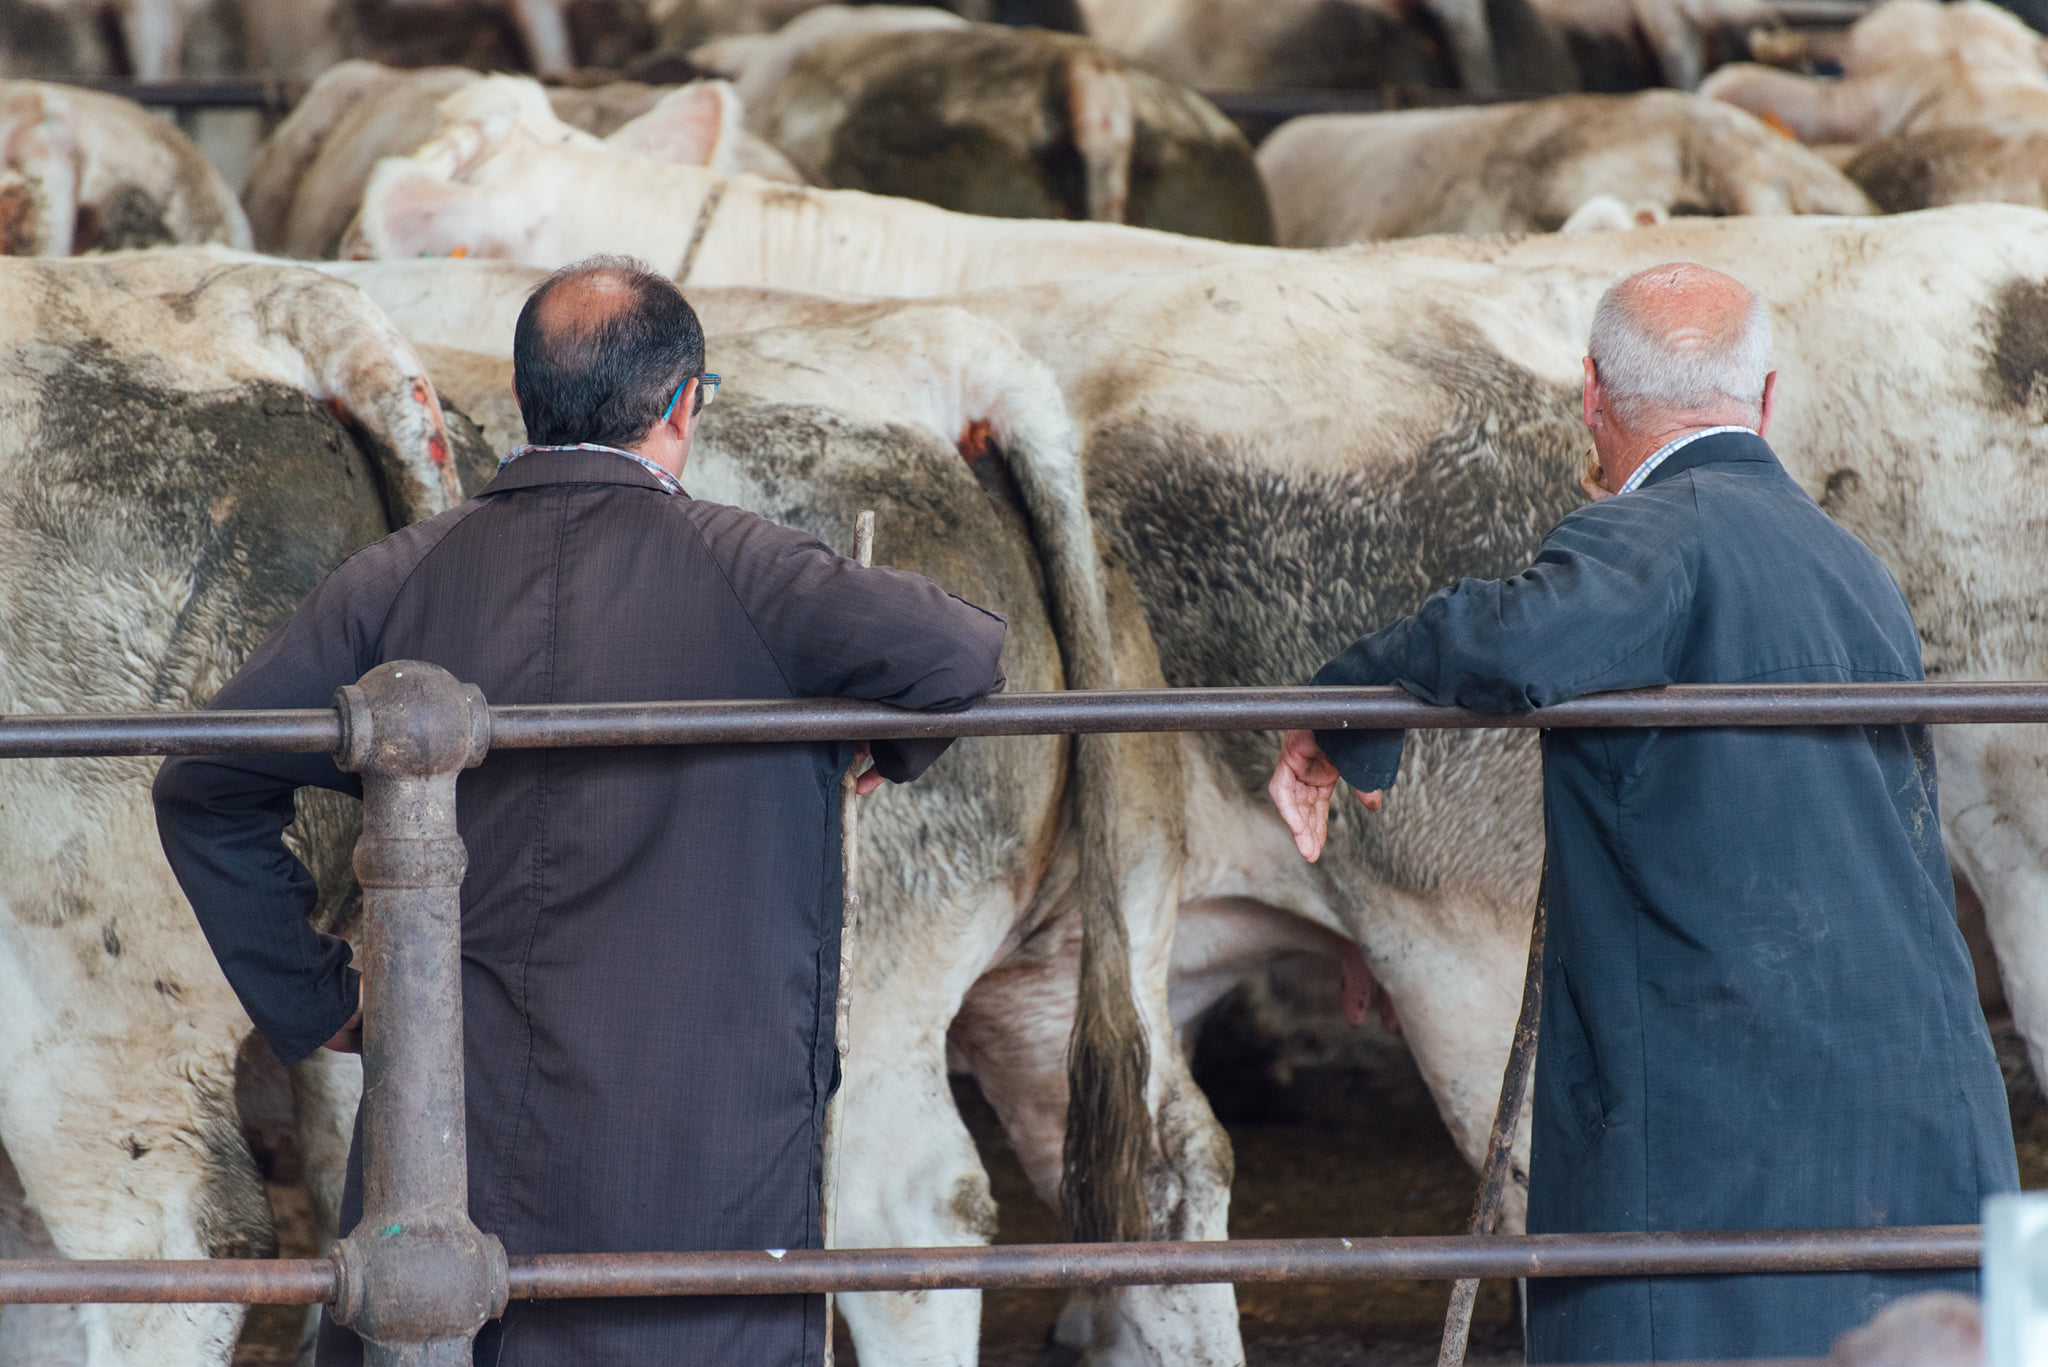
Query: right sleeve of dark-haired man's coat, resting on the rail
{"type": "Point", "coordinates": [841, 630]}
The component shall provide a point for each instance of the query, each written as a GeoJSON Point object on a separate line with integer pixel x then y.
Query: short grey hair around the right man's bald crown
{"type": "Point", "coordinates": [1648, 368]}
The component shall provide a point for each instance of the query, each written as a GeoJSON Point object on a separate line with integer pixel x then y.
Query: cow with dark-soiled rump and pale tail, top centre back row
{"type": "Point", "coordinates": [1013, 124]}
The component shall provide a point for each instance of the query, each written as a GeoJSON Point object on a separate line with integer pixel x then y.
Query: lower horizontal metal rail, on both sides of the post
{"type": "Point", "coordinates": [1046, 1266]}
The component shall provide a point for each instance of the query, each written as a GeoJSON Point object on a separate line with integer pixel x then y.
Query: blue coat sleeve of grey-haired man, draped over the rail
{"type": "Point", "coordinates": [1596, 612]}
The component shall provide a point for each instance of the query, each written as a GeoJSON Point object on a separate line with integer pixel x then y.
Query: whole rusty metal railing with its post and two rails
{"type": "Point", "coordinates": [419, 1280]}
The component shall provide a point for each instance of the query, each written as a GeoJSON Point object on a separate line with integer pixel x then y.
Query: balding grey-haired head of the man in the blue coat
{"type": "Point", "coordinates": [1678, 343]}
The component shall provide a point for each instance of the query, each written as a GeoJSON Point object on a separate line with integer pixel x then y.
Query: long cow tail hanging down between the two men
{"type": "Point", "coordinates": [1109, 1122]}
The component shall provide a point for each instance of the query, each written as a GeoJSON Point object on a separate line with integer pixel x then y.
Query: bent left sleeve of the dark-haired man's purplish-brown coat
{"type": "Point", "coordinates": [222, 823]}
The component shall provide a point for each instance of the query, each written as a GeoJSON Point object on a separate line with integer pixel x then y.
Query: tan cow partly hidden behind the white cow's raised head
{"type": "Point", "coordinates": [308, 179]}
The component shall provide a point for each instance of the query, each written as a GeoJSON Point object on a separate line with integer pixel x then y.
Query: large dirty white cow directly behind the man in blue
{"type": "Point", "coordinates": [1406, 415]}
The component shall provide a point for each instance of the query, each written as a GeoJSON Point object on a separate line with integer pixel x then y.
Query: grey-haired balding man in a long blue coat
{"type": "Point", "coordinates": [1756, 1005]}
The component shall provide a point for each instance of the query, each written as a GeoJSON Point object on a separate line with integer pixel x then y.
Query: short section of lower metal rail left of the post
{"type": "Point", "coordinates": [83, 1282]}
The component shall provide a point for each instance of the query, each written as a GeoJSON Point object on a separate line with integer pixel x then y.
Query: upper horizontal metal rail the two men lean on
{"type": "Point", "coordinates": [1035, 714]}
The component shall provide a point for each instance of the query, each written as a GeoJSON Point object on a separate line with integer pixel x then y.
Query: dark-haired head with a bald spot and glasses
{"type": "Point", "coordinates": [599, 351]}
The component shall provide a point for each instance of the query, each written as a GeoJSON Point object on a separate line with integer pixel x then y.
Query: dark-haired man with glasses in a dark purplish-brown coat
{"type": "Point", "coordinates": [650, 938]}
